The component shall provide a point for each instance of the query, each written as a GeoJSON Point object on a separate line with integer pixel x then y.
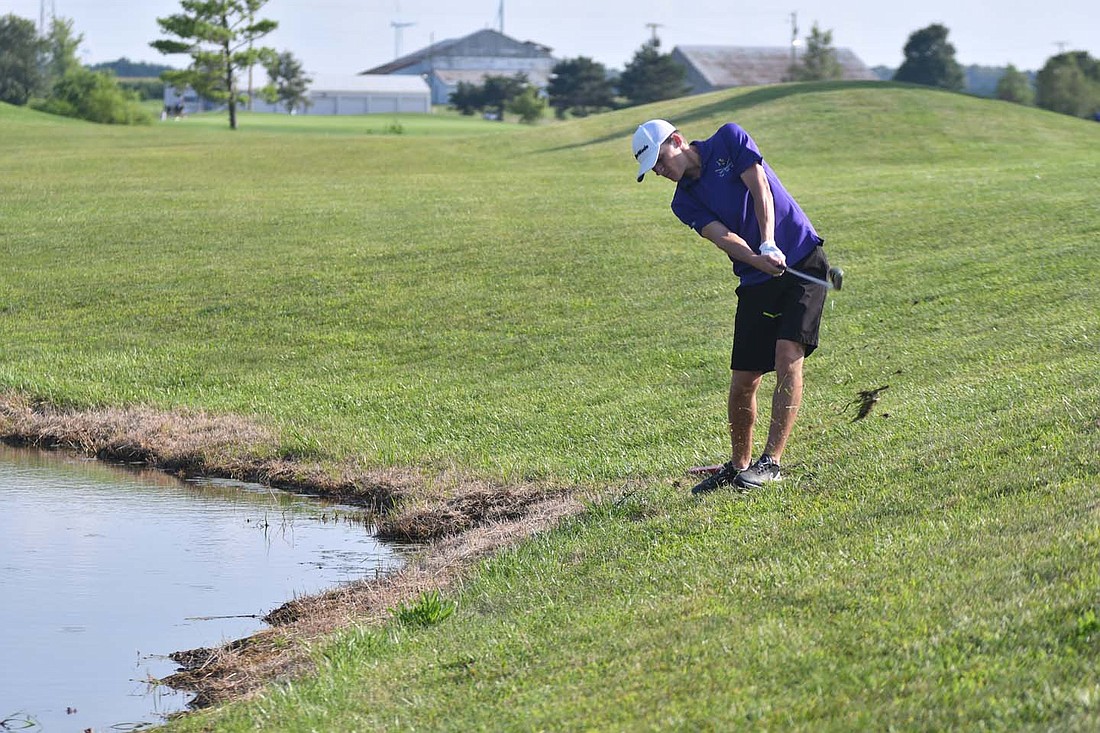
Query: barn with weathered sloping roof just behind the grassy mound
{"type": "Point", "coordinates": [721, 68]}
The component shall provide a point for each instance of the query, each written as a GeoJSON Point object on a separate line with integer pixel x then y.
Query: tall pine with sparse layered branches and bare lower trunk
{"type": "Point", "coordinates": [219, 37]}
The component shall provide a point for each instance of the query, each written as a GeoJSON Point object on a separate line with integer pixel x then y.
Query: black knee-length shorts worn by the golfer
{"type": "Point", "coordinates": [785, 308]}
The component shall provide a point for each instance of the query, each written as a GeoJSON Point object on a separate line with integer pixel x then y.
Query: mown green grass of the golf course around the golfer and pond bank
{"type": "Point", "coordinates": [515, 304]}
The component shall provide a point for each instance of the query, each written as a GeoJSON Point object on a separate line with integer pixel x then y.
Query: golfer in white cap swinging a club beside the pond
{"type": "Point", "coordinates": [728, 194]}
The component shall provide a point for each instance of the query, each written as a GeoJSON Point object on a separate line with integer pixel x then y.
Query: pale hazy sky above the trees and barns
{"type": "Point", "coordinates": [348, 37]}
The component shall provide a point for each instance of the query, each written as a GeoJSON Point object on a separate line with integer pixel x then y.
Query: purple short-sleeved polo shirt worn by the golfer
{"type": "Point", "coordinates": [721, 195]}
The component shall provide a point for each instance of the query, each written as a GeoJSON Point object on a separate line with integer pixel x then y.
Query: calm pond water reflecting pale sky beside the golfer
{"type": "Point", "coordinates": [105, 571]}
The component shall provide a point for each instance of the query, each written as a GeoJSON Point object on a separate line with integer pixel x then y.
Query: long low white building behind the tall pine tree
{"type": "Point", "coordinates": [354, 94]}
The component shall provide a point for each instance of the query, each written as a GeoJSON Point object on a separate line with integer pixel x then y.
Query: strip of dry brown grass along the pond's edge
{"type": "Point", "coordinates": [459, 519]}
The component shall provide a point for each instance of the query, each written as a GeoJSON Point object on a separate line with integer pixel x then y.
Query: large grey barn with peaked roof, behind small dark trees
{"type": "Point", "coordinates": [471, 59]}
